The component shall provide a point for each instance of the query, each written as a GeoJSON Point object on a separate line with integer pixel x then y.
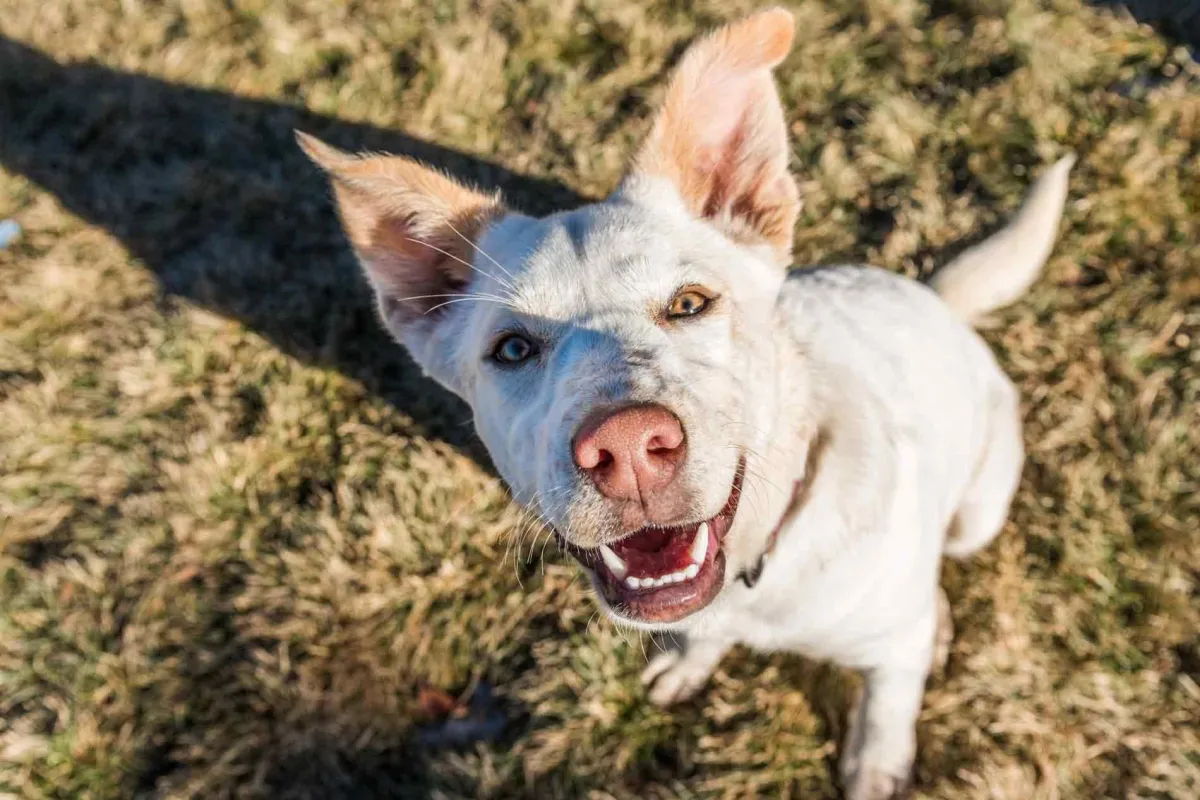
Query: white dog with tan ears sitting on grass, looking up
{"type": "Point", "coordinates": [735, 453]}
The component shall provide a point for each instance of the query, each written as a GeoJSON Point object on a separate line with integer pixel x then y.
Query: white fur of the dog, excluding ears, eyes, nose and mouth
{"type": "Point", "coordinates": [921, 428]}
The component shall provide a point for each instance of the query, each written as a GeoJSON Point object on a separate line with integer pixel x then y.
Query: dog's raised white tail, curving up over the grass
{"type": "Point", "coordinates": [1000, 269]}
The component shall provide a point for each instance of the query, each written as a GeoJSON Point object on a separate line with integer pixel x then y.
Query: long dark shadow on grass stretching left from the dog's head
{"type": "Point", "coordinates": [212, 194]}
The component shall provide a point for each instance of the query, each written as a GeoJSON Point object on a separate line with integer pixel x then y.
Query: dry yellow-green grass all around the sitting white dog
{"type": "Point", "coordinates": [241, 534]}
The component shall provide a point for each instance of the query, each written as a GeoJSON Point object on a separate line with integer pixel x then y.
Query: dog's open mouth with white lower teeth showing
{"type": "Point", "coordinates": [662, 575]}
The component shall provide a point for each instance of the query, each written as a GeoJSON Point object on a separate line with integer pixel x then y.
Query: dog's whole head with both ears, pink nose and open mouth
{"type": "Point", "coordinates": [620, 358]}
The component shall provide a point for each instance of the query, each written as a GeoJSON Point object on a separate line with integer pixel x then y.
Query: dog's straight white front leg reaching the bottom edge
{"type": "Point", "coordinates": [881, 743]}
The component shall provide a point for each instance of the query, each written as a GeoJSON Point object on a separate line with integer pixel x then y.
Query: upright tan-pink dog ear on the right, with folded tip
{"type": "Point", "coordinates": [721, 140]}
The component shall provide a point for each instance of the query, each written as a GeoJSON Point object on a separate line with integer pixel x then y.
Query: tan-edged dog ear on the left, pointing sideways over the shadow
{"type": "Point", "coordinates": [413, 230]}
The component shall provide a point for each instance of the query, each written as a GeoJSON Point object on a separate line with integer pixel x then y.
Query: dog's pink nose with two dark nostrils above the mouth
{"type": "Point", "coordinates": [632, 454]}
